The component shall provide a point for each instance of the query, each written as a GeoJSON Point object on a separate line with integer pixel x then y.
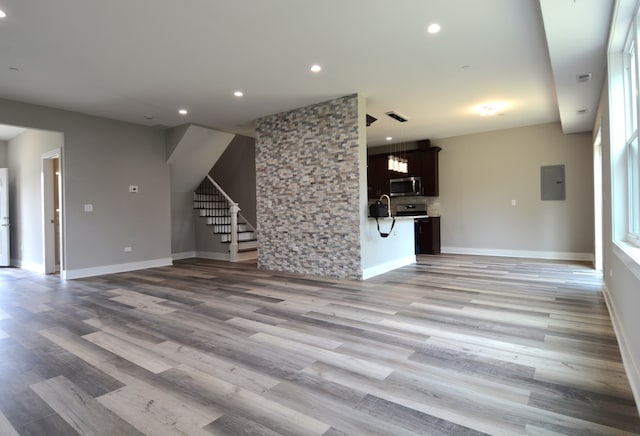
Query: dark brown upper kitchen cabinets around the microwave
{"type": "Point", "coordinates": [422, 162]}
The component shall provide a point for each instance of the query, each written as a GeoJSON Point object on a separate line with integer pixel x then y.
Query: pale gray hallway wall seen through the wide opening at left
{"type": "Point", "coordinates": [25, 194]}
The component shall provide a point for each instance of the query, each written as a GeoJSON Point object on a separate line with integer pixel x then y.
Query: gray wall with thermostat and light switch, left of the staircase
{"type": "Point", "coordinates": [101, 159]}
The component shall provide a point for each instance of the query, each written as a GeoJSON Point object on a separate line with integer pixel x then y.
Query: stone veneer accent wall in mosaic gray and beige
{"type": "Point", "coordinates": [308, 213]}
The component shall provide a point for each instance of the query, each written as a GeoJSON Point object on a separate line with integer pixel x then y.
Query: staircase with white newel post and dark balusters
{"type": "Point", "coordinates": [222, 214]}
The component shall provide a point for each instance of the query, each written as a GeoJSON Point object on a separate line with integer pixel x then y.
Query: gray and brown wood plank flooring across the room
{"type": "Point", "coordinates": [454, 345]}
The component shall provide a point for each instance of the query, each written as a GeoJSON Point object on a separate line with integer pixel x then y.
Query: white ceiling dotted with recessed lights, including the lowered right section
{"type": "Point", "coordinates": [127, 59]}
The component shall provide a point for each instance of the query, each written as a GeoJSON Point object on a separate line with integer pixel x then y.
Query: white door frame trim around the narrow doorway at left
{"type": "Point", "coordinates": [48, 231]}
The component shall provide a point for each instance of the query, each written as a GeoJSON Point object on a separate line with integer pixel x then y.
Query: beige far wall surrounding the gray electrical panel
{"type": "Point", "coordinates": [481, 174]}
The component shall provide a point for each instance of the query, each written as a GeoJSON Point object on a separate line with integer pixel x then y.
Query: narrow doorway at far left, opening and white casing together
{"type": "Point", "coordinates": [52, 212]}
